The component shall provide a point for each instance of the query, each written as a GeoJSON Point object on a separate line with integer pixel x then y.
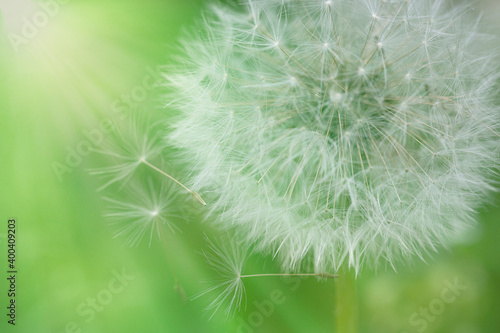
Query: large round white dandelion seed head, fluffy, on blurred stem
{"type": "Point", "coordinates": [376, 153]}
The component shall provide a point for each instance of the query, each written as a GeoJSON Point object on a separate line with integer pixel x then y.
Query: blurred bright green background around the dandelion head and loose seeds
{"type": "Point", "coordinates": [67, 66]}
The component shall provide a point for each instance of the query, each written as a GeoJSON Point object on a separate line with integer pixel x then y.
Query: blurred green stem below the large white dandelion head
{"type": "Point", "coordinates": [346, 305]}
